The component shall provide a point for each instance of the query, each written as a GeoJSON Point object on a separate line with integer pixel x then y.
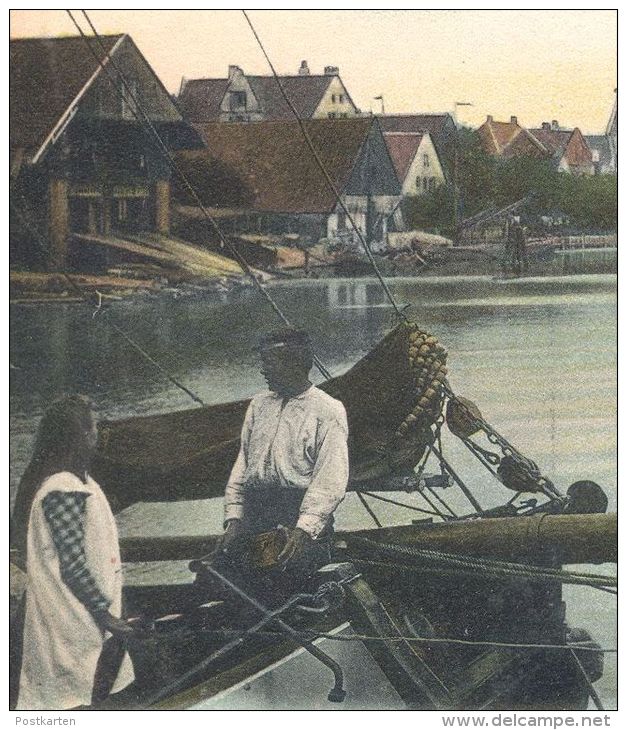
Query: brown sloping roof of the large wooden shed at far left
{"type": "Point", "coordinates": [46, 75]}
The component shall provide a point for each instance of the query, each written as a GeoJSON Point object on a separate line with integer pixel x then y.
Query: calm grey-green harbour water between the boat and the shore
{"type": "Point", "coordinates": [538, 356]}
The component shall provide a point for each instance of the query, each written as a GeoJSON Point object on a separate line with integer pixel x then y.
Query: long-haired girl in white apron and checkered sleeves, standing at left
{"type": "Point", "coordinates": [65, 529]}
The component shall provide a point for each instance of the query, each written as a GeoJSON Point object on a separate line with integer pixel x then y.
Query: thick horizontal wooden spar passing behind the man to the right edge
{"type": "Point", "coordinates": [572, 538]}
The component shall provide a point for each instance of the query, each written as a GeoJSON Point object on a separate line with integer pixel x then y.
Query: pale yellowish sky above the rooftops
{"type": "Point", "coordinates": [538, 65]}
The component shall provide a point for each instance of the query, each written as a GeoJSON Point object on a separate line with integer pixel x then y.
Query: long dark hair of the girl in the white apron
{"type": "Point", "coordinates": [62, 444]}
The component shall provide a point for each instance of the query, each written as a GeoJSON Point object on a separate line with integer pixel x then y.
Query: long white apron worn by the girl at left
{"type": "Point", "coordinates": [62, 643]}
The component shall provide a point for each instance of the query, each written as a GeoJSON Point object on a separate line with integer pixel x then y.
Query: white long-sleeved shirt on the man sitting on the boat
{"type": "Point", "coordinates": [300, 442]}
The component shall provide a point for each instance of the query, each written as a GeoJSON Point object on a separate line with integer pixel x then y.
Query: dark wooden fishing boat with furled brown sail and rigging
{"type": "Point", "coordinates": [458, 612]}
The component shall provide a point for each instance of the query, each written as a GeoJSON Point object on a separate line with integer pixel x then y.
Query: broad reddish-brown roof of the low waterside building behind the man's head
{"type": "Point", "coordinates": [270, 165]}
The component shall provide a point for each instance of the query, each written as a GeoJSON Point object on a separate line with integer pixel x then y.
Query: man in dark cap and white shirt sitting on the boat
{"type": "Point", "coordinates": [292, 467]}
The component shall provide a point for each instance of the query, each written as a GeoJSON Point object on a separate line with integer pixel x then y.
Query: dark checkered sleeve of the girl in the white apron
{"type": "Point", "coordinates": [65, 513]}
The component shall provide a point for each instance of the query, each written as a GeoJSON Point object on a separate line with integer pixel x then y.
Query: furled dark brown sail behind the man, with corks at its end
{"type": "Point", "coordinates": [391, 398]}
